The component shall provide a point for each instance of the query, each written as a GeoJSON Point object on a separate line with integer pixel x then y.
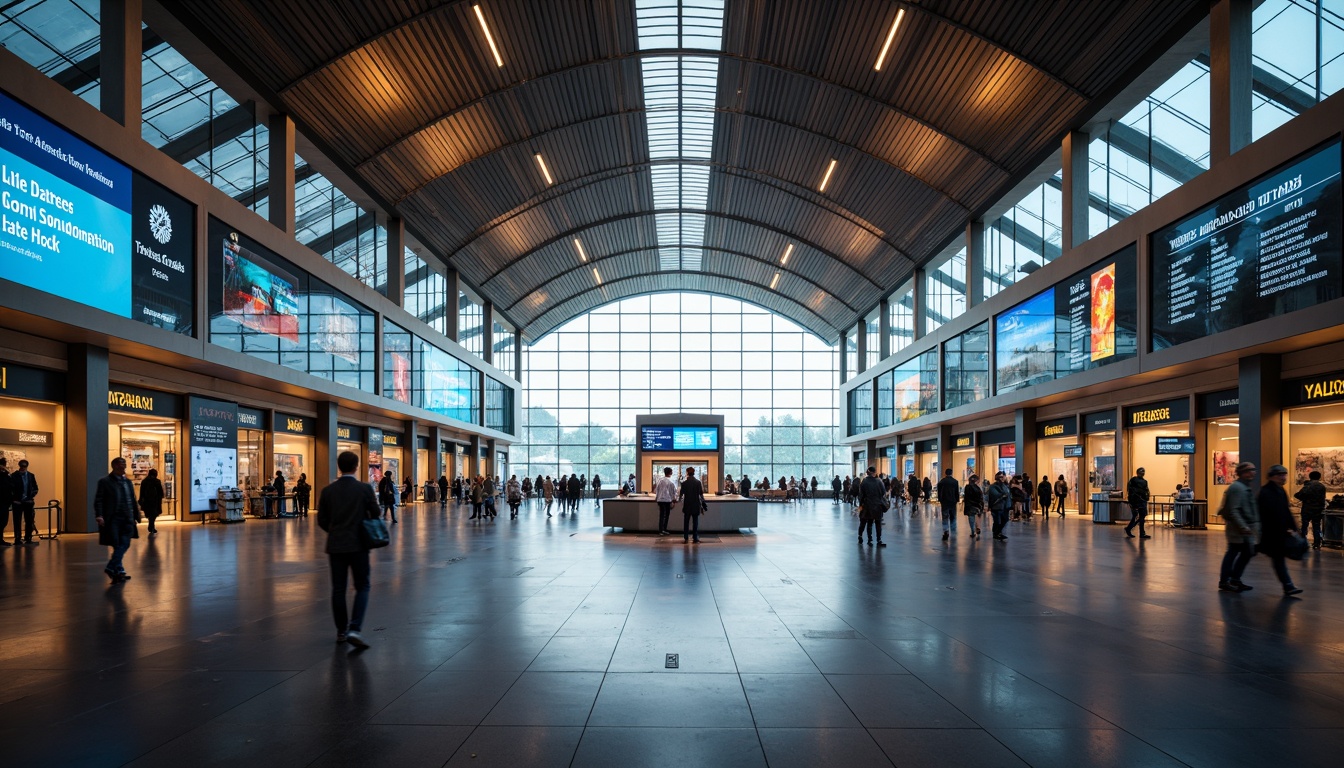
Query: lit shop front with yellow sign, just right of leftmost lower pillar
{"type": "Point", "coordinates": [144, 427]}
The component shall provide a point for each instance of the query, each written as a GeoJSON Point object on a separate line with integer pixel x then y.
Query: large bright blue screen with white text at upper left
{"type": "Point", "coordinates": [77, 224]}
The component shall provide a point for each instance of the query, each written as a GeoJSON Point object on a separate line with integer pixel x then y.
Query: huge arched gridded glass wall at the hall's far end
{"type": "Point", "coordinates": [775, 384]}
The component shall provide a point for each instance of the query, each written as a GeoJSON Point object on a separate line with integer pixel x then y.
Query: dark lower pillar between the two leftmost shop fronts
{"type": "Point", "coordinates": [87, 436]}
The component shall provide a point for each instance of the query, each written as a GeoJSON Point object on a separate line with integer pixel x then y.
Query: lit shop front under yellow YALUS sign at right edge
{"type": "Point", "coordinates": [1314, 436]}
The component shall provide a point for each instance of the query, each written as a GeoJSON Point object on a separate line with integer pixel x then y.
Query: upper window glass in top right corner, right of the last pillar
{"type": "Point", "coordinates": [1298, 59]}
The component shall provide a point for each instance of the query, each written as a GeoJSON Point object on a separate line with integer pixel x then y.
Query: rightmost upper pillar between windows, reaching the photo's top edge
{"type": "Point", "coordinates": [1230, 77]}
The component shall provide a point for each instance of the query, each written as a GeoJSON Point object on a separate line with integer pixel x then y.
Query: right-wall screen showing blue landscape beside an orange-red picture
{"type": "Point", "coordinates": [1087, 321]}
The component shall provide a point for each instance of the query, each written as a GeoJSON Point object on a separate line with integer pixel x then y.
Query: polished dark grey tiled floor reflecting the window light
{"type": "Point", "coordinates": [545, 642]}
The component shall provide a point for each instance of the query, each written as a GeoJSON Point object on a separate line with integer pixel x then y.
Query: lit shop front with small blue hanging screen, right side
{"type": "Point", "coordinates": [1158, 438]}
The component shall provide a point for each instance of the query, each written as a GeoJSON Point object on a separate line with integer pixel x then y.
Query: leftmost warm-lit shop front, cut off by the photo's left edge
{"type": "Point", "coordinates": [34, 428]}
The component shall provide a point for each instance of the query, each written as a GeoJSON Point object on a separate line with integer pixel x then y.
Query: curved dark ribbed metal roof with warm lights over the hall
{"type": "Point", "coordinates": [408, 98]}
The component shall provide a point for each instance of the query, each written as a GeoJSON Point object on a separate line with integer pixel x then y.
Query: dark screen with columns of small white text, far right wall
{"type": "Point", "coordinates": [1264, 251]}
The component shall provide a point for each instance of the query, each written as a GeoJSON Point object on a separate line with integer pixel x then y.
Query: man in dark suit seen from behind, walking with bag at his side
{"type": "Point", "coordinates": [342, 509]}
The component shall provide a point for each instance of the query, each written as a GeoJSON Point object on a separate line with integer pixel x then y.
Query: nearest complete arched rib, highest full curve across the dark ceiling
{"type": "Point", "coordinates": [765, 64]}
